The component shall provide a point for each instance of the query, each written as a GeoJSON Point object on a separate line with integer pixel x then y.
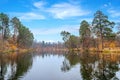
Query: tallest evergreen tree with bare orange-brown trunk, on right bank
{"type": "Point", "coordinates": [101, 26]}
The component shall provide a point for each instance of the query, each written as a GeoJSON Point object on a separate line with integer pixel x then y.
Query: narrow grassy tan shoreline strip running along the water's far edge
{"type": "Point", "coordinates": [61, 50]}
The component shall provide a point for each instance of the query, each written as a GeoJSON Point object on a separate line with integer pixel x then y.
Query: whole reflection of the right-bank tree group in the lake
{"type": "Point", "coordinates": [95, 66]}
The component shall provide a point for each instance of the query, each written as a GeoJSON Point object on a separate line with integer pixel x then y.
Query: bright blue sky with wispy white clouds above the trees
{"type": "Point", "coordinates": [47, 18]}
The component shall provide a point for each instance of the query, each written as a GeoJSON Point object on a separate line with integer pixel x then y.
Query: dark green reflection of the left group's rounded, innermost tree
{"type": "Point", "coordinates": [23, 63]}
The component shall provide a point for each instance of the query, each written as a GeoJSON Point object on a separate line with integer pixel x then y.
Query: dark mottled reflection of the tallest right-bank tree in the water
{"type": "Point", "coordinates": [106, 68]}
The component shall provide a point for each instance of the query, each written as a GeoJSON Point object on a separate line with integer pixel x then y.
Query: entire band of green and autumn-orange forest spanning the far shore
{"type": "Point", "coordinates": [98, 35]}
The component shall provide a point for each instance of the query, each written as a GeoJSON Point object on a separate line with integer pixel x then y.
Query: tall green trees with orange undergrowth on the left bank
{"type": "Point", "coordinates": [13, 34]}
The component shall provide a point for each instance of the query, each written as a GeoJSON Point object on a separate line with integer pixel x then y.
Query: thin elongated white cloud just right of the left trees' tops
{"type": "Point", "coordinates": [31, 16]}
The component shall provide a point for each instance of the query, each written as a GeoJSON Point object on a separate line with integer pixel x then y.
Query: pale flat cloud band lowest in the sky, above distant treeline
{"type": "Point", "coordinates": [57, 30]}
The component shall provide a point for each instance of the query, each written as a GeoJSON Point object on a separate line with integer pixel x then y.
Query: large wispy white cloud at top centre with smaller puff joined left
{"type": "Point", "coordinates": [61, 10]}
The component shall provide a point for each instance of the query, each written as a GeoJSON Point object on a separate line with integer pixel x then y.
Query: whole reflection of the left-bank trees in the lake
{"type": "Point", "coordinates": [13, 66]}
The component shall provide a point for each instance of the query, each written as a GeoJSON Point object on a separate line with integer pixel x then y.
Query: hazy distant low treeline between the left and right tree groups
{"type": "Point", "coordinates": [47, 46]}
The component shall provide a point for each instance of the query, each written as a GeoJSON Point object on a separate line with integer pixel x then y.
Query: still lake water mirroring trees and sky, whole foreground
{"type": "Point", "coordinates": [53, 66]}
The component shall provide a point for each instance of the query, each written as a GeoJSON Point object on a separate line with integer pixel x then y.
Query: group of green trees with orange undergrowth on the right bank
{"type": "Point", "coordinates": [97, 35]}
